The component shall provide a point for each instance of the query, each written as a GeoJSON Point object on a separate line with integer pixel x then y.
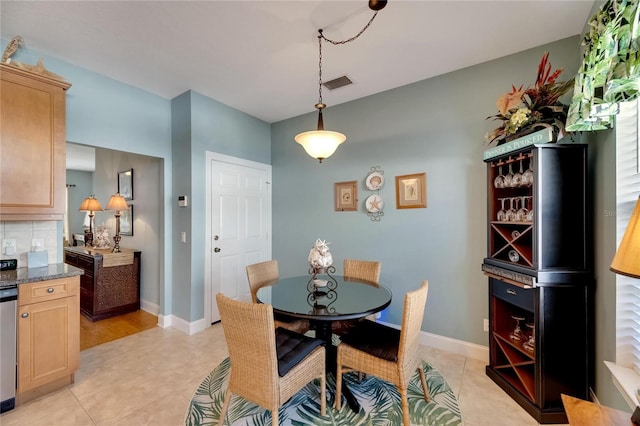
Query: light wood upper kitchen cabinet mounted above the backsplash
{"type": "Point", "coordinates": [32, 145]}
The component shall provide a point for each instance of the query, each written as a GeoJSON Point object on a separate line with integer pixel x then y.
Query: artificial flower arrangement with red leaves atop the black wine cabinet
{"type": "Point", "coordinates": [526, 110]}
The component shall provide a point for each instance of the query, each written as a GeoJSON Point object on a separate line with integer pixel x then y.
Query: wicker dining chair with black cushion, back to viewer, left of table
{"type": "Point", "coordinates": [268, 365]}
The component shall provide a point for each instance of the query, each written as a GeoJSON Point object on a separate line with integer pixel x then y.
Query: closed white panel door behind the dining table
{"type": "Point", "coordinates": [239, 219]}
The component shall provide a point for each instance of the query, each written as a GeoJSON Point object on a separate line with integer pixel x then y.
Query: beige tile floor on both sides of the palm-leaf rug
{"type": "Point", "coordinates": [149, 378]}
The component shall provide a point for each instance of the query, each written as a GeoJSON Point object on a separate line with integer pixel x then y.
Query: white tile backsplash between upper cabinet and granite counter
{"type": "Point", "coordinates": [24, 233]}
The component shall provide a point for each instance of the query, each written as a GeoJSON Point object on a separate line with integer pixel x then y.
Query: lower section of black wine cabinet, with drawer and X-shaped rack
{"type": "Point", "coordinates": [541, 344]}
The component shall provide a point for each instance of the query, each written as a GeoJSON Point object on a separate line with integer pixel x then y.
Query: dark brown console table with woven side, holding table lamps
{"type": "Point", "coordinates": [110, 285]}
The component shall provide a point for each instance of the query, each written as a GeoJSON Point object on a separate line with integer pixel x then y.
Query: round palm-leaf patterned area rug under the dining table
{"type": "Point", "coordinates": [379, 401]}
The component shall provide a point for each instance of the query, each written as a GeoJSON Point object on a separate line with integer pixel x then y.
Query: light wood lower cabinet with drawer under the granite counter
{"type": "Point", "coordinates": [48, 333]}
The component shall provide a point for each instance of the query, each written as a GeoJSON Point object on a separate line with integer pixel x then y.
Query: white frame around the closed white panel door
{"type": "Point", "coordinates": [209, 157]}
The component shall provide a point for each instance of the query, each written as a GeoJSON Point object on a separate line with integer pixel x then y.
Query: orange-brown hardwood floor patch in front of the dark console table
{"type": "Point", "coordinates": [106, 330]}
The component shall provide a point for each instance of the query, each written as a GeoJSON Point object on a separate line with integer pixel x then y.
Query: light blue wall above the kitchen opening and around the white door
{"type": "Point", "coordinates": [105, 113]}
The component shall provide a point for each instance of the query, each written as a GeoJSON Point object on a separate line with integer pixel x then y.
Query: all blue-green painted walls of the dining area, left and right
{"type": "Point", "coordinates": [435, 126]}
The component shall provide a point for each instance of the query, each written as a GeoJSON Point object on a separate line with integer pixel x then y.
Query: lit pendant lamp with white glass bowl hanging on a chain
{"type": "Point", "coordinates": [320, 143]}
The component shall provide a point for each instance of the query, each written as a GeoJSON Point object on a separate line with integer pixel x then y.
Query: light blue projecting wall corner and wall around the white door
{"type": "Point", "coordinates": [201, 124]}
